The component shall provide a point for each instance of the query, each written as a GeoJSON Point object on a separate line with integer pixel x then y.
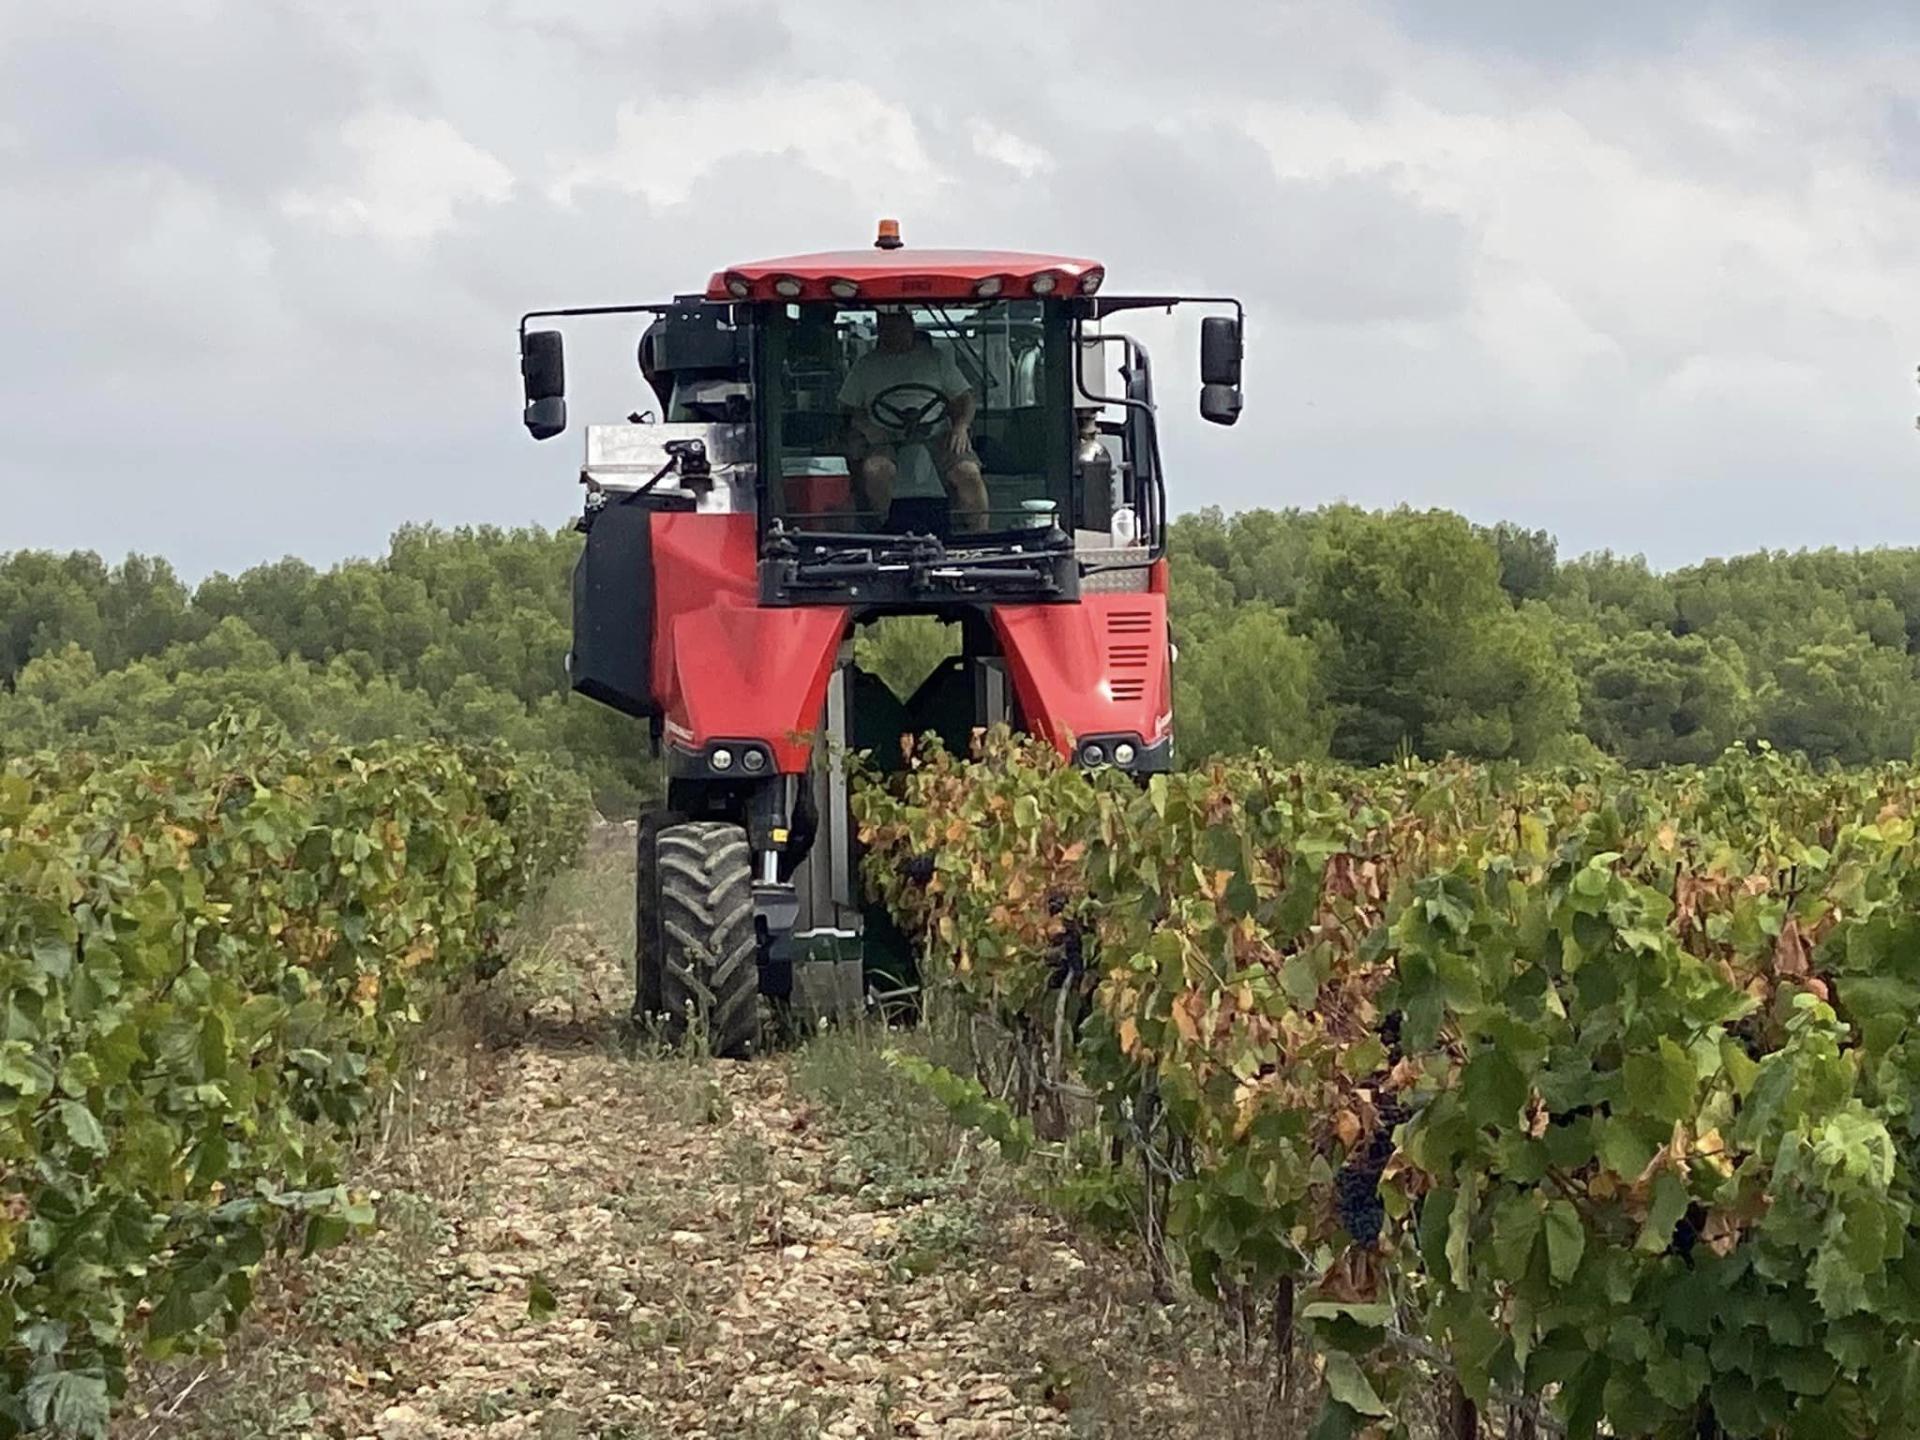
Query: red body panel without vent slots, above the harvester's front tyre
{"type": "Point", "coordinates": [725, 665]}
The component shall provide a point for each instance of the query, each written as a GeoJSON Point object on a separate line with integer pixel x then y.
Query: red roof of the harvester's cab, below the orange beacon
{"type": "Point", "coordinates": [903, 274]}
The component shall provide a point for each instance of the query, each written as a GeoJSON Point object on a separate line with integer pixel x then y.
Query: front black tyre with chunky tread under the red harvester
{"type": "Point", "coordinates": [709, 949]}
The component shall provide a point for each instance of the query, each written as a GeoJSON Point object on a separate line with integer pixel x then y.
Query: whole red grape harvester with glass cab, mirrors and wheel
{"type": "Point", "coordinates": [832, 441]}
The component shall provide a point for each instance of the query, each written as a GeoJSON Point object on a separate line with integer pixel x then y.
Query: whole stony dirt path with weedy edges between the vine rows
{"type": "Point", "coordinates": [592, 1243]}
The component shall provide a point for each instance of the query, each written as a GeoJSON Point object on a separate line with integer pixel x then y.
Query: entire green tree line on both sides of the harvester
{"type": "Point", "coordinates": [1335, 633]}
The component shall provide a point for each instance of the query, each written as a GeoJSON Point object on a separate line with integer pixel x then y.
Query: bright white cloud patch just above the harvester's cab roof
{"type": "Point", "coordinates": [844, 130]}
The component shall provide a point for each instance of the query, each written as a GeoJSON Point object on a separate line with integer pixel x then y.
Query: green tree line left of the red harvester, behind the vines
{"type": "Point", "coordinates": [452, 635]}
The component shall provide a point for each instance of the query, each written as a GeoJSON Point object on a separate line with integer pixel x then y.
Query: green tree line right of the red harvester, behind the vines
{"type": "Point", "coordinates": [1364, 636]}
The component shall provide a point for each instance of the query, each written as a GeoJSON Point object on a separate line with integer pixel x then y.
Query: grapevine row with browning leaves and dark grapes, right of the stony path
{"type": "Point", "coordinates": [1602, 1084]}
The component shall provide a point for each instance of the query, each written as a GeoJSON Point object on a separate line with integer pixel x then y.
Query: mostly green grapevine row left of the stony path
{"type": "Point", "coordinates": [210, 961]}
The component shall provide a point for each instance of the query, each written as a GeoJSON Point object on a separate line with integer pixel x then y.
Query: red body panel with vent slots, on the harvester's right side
{"type": "Point", "coordinates": [1090, 669]}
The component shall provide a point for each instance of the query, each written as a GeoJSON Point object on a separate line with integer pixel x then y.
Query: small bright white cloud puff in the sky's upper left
{"type": "Point", "coordinates": [412, 178]}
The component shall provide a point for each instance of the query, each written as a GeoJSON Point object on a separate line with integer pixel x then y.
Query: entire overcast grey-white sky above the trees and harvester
{"type": "Point", "coordinates": [1646, 274]}
